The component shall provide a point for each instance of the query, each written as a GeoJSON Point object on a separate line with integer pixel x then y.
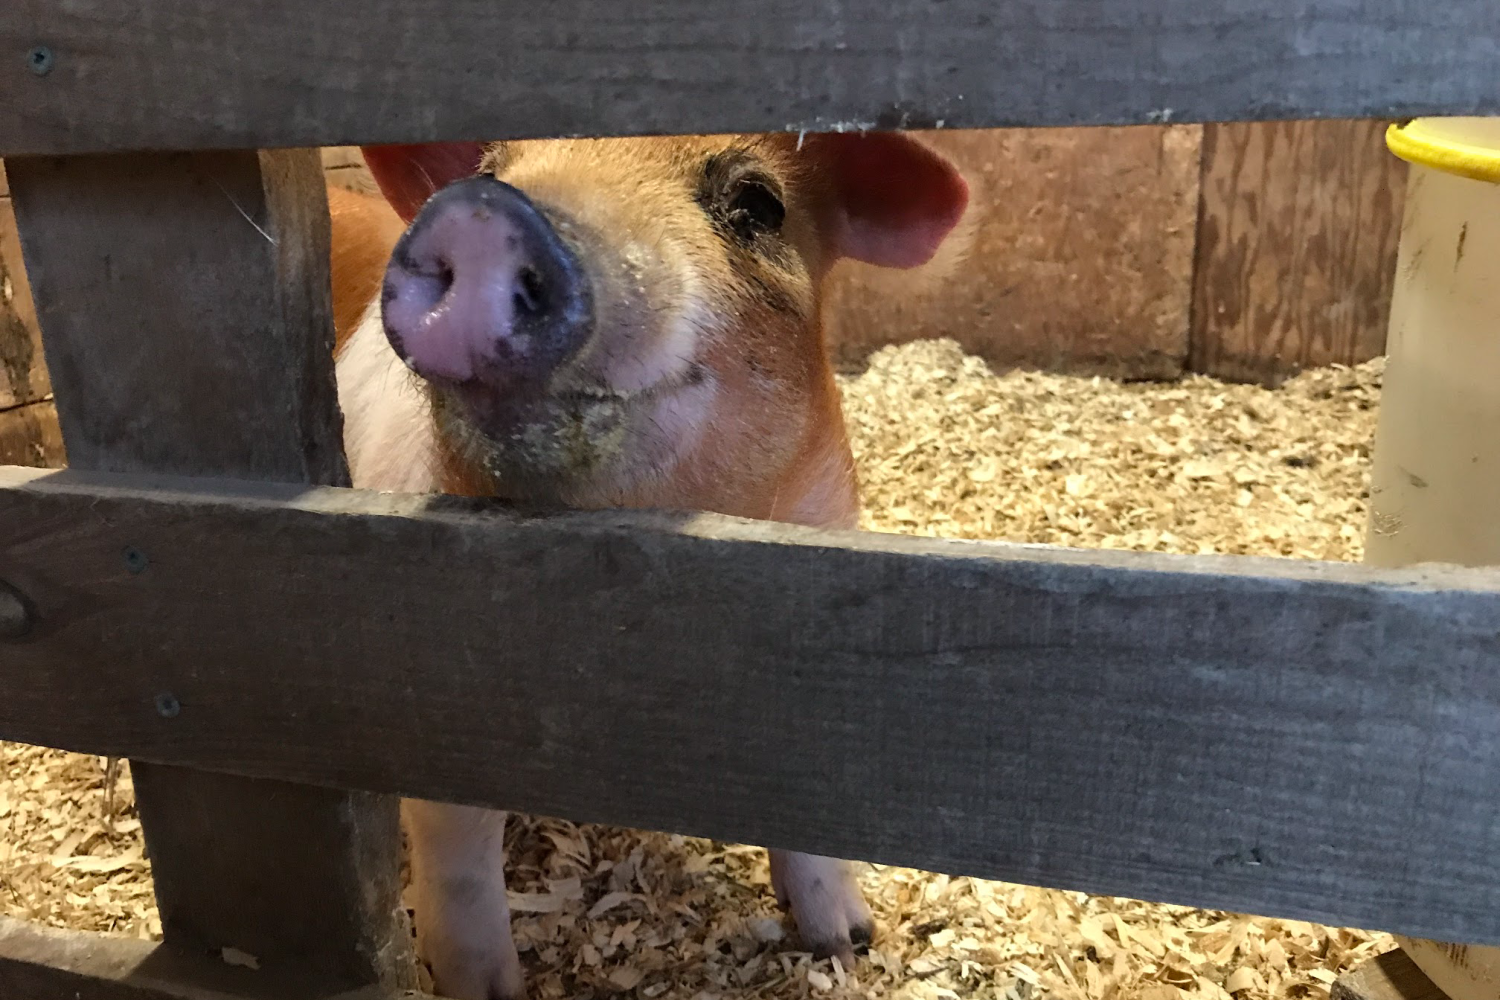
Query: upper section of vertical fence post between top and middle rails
{"type": "Point", "coordinates": [172, 286]}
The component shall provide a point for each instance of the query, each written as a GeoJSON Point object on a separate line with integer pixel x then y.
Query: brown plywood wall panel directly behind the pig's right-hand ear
{"type": "Point", "coordinates": [1082, 257]}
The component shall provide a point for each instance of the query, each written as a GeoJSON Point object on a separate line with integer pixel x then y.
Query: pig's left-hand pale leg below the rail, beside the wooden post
{"type": "Point", "coordinates": [458, 879]}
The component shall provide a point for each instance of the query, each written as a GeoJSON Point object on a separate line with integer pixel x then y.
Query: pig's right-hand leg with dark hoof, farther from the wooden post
{"type": "Point", "coordinates": [824, 899]}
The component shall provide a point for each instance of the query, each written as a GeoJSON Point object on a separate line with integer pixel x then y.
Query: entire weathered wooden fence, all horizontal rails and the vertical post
{"type": "Point", "coordinates": [199, 591]}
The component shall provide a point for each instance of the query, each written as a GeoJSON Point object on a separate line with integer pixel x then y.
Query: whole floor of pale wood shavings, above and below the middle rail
{"type": "Point", "coordinates": [946, 448]}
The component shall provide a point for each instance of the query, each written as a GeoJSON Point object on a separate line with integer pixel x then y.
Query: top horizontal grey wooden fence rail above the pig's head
{"type": "Point", "coordinates": [101, 76]}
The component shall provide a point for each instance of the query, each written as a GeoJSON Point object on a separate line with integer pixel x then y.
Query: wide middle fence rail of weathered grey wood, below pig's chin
{"type": "Point", "coordinates": [1271, 737]}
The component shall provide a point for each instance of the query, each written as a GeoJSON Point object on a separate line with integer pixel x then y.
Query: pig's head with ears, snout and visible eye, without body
{"type": "Point", "coordinates": [596, 319]}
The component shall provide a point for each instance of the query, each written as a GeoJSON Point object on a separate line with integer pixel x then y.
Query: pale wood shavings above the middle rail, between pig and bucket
{"type": "Point", "coordinates": [1196, 467]}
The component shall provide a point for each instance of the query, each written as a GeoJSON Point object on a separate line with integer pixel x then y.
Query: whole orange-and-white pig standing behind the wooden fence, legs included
{"type": "Point", "coordinates": [613, 323]}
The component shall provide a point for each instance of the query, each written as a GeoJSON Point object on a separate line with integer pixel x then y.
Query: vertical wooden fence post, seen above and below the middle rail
{"type": "Point", "coordinates": [187, 322]}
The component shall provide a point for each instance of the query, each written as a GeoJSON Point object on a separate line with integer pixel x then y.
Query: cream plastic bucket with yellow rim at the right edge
{"type": "Point", "coordinates": [1436, 481]}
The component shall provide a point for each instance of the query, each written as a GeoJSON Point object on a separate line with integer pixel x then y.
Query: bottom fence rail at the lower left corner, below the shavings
{"type": "Point", "coordinates": [43, 963]}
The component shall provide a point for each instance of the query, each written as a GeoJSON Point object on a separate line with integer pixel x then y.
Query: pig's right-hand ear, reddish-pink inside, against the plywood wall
{"type": "Point", "coordinates": [895, 199]}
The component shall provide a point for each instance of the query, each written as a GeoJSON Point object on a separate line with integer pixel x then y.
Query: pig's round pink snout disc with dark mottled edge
{"type": "Point", "coordinates": [482, 290]}
